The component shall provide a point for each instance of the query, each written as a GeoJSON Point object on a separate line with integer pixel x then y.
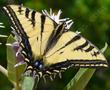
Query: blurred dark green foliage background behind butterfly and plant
{"type": "Point", "coordinates": [91, 18]}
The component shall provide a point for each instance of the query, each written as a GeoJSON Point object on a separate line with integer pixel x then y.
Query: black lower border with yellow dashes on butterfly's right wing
{"type": "Point", "coordinates": [85, 63]}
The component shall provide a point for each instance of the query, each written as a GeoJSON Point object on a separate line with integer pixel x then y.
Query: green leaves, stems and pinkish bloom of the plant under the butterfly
{"type": "Point", "coordinates": [16, 67]}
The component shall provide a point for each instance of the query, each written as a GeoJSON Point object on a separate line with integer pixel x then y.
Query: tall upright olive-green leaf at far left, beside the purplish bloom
{"type": "Point", "coordinates": [11, 60]}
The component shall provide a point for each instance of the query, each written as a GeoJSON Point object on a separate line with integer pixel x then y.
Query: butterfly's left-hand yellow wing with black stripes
{"type": "Point", "coordinates": [37, 27]}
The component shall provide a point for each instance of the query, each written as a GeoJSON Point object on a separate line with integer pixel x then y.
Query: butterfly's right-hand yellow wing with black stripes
{"type": "Point", "coordinates": [77, 50]}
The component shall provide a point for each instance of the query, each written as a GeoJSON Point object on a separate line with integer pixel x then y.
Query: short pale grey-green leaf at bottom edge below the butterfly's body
{"type": "Point", "coordinates": [28, 83]}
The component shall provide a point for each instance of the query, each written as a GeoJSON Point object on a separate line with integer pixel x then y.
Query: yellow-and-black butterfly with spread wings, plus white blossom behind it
{"type": "Point", "coordinates": [46, 43]}
